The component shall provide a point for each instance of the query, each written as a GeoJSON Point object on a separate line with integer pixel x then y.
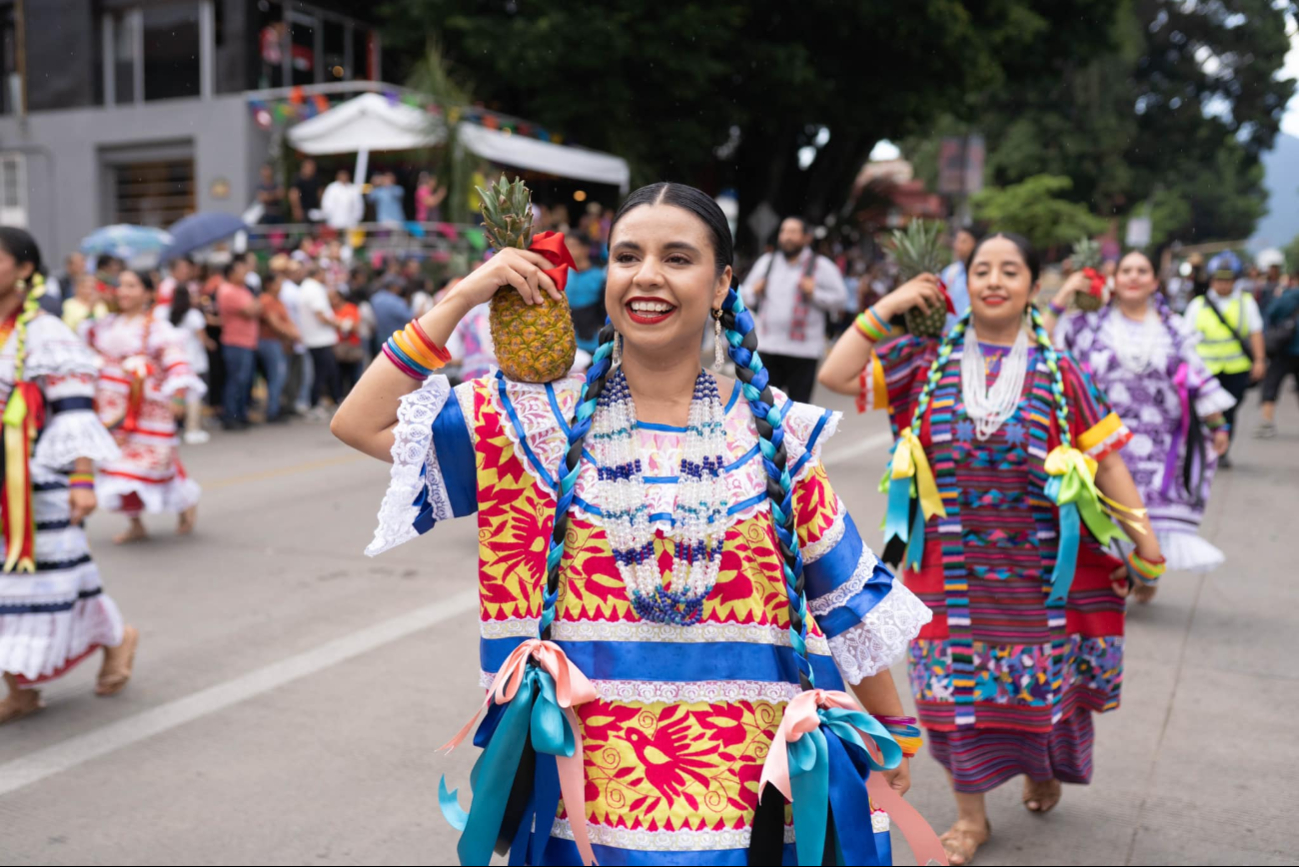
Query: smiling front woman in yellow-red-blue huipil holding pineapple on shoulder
{"type": "Point", "coordinates": [670, 586]}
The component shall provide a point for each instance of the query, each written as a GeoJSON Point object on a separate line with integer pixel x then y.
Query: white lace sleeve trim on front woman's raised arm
{"type": "Point", "coordinates": [412, 452]}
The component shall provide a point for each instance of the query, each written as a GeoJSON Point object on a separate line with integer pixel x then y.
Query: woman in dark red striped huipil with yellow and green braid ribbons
{"type": "Point", "coordinates": [1002, 489]}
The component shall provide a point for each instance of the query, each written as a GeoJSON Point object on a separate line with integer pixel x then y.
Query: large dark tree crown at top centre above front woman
{"type": "Point", "coordinates": [742, 93]}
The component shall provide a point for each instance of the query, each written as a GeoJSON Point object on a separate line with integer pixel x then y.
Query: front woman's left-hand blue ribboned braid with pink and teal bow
{"type": "Point", "coordinates": [532, 739]}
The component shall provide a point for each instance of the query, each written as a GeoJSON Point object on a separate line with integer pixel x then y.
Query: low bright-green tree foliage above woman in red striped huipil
{"type": "Point", "coordinates": [1037, 210]}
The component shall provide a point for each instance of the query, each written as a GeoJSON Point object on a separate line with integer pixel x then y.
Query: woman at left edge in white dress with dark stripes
{"type": "Point", "coordinates": [54, 612]}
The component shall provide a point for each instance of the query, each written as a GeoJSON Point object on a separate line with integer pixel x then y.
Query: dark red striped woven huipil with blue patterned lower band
{"type": "Point", "coordinates": [996, 656]}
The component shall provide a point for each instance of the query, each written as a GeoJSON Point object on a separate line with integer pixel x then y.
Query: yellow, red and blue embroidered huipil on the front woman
{"type": "Point", "coordinates": [675, 743]}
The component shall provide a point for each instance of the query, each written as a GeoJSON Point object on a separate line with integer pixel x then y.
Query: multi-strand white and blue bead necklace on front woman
{"type": "Point", "coordinates": [700, 513]}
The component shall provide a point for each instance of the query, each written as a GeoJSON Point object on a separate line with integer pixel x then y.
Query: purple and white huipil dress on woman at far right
{"type": "Point", "coordinates": [1176, 389]}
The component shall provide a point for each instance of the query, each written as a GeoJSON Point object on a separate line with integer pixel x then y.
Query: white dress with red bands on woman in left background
{"type": "Point", "coordinates": [150, 466]}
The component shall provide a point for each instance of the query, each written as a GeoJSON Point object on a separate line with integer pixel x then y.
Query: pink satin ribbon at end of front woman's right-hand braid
{"type": "Point", "coordinates": [801, 717]}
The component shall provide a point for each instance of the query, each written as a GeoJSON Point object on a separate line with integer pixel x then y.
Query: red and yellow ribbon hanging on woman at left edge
{"type": "Point", "coordinates": [24, 417]}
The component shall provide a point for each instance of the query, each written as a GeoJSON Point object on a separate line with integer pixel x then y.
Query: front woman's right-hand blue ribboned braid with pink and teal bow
{"type": "Point", "coordinates": [827, 747]}
